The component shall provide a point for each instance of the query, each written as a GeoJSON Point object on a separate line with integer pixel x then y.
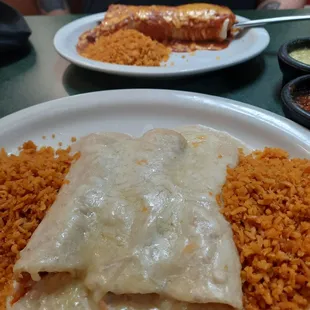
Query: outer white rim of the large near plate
{"type": "Point", "coordinates": [78, 101]}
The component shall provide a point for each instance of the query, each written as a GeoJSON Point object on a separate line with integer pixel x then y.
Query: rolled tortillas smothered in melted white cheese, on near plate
{"type": "Point", "coordinates": [137, 227]}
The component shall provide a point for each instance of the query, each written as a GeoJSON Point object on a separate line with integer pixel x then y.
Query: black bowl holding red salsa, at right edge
{"type": "Point", "coordinates": [291, 109]}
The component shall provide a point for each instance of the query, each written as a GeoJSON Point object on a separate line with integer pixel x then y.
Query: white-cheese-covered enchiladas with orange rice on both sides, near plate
{"type": "Point", "coordinates": [187, 219]}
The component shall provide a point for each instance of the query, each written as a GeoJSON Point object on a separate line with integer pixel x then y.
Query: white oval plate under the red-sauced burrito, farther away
{"type": "Point", "coordinates": [249, 45]}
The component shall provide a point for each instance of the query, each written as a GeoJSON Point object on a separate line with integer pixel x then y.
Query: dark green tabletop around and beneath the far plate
{"type": "Point", "coordinates": [42, 75]}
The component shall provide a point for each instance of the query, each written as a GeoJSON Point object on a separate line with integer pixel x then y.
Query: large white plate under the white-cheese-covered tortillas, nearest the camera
{"type": "Point", "coordinates": [135, 111]}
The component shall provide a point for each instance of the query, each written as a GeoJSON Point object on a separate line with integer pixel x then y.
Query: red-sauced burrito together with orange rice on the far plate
{"type": "Point", "coordinates": [184, 28]}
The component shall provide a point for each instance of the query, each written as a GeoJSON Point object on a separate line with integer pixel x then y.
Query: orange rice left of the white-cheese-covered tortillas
{"type": "Point", "coordinates": [29, 183]}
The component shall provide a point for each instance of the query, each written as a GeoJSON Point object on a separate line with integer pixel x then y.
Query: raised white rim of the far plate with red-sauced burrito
{"type": "Point", "coordinates": [145, 71]}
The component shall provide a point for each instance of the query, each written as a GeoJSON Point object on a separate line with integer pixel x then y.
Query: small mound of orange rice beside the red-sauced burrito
{"type": "Point", "coordinates": [127, 47]}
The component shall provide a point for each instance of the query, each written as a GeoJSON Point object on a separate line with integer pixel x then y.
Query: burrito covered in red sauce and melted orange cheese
{"type": "Point", "coordinates": [190, 22]}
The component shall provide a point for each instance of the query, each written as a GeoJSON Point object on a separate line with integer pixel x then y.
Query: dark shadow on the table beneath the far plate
{"type": "Point", "coordinates": [78, 80]}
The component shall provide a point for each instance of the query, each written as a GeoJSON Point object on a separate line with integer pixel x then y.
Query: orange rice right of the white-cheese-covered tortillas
{"type": "Point", "coordinates": [266, 198]}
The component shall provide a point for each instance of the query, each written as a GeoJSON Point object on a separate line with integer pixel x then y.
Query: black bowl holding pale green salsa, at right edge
{"type": "Point", "coordinates": [290, 67]}
